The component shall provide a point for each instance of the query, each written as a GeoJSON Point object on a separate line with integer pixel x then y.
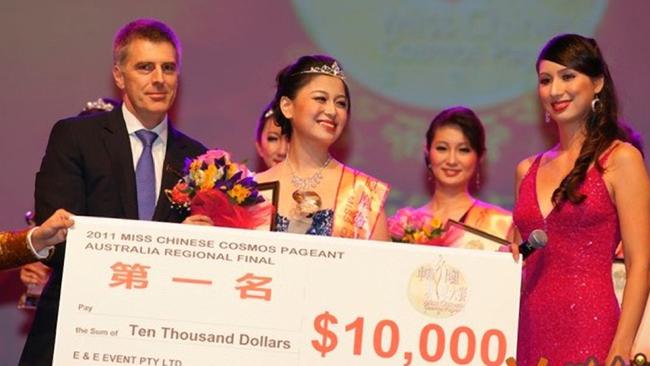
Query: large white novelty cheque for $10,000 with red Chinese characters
{"type": "Point", "coordinates": [146, 293]}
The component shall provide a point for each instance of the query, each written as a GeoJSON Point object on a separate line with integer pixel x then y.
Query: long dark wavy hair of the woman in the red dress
{"type": "Point", "coordinates": [583, 55]}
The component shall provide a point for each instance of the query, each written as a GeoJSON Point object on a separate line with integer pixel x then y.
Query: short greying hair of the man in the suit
{"type": "Point", "coordinates": [148, 29]}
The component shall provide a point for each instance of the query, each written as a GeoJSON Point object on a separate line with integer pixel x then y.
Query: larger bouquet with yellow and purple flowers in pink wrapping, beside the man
{"type": "Point", "coordinates": [224, 191]}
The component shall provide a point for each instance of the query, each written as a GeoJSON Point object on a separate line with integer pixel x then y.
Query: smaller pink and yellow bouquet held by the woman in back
{"type": "Point", "coordinates": [417, 227]}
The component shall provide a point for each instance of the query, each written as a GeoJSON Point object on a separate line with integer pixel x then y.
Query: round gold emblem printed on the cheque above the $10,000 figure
{"type": "Point", "coordinates": [437, 289]}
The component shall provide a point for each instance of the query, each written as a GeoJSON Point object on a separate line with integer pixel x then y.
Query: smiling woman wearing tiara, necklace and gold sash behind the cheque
{"type": "Point", "coordinates": [319, 195]}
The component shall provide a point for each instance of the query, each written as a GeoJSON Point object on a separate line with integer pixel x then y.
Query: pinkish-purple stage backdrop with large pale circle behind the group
{"type": "Point", "coordinates": [405, 61]}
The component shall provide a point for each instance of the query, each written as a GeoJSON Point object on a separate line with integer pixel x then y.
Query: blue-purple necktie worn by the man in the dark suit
{"type": "Point", "coordinates": [145, 176]}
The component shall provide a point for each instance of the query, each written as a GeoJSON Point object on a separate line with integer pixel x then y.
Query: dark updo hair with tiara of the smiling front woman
{"type": "Point", "coordinates": [294, 77]}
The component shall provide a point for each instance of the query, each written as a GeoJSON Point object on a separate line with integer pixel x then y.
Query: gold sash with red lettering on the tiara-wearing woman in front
{"type": "Point", "coordinates": [359, 201]}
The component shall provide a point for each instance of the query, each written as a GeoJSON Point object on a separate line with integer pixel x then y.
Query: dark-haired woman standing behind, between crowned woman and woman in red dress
{"type": "Point", "coordinates": [455, 147]}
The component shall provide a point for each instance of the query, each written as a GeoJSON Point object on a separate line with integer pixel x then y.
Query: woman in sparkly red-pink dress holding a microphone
{"type": "Point", "coordinates": [587, 192]}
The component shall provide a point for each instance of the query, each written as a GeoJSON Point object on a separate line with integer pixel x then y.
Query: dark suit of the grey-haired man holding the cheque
{"type": "Point", "coordinates": [88, 170]}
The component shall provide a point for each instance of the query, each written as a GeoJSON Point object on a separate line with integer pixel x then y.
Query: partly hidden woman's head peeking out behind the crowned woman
{"type": "Point", "coordinates": [271, 142]}
